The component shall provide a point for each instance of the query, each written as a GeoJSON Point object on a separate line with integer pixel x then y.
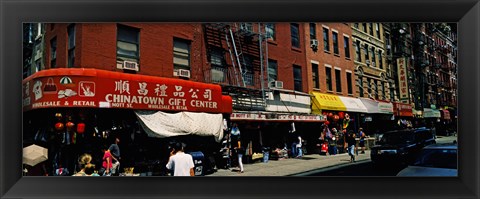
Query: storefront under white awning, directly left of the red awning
{"type": "Point", "coordinates": [379, 117]}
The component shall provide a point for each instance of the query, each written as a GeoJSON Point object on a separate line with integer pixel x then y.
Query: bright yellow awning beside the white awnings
{"type": "Point", "coordinates": [326, 102]}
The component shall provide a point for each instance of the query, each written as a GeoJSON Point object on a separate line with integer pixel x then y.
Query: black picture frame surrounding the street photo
{"type": "Point", "coordinates": [13, 13]}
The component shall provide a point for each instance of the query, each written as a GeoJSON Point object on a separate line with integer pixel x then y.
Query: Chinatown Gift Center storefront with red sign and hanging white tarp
{"type": "Point", "coordinates": [83, 109]}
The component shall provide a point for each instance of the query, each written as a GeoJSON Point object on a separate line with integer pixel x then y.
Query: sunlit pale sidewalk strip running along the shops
{"type": "Point", "coordinates": [292, 165]}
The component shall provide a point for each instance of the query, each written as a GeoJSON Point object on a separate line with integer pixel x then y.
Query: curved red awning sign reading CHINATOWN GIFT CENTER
{"type": "Point", "coordinates": [106, 89]}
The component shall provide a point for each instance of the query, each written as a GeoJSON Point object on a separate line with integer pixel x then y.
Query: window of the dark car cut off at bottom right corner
{"type": "Point", "coordinates": [439, 158]}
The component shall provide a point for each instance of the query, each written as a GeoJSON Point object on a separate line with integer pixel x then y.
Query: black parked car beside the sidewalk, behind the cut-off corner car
{"type": "Point", "coordinates": [401, 147]}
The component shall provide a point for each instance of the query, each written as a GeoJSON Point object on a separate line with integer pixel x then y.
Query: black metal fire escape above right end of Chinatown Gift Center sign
{"type": "Point", "coordinates": [237, 57]}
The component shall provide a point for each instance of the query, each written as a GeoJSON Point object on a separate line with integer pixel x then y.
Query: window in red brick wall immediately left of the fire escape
{"type": "Point", "coordinates": [181, 54]}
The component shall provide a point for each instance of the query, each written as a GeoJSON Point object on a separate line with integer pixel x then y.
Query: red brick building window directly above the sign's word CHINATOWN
{"type": "Point", "coordinates": [127, 44]}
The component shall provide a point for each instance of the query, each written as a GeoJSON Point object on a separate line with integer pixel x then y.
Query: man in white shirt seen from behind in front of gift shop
{"type": "Point", "coordinates": [180, 162]}
